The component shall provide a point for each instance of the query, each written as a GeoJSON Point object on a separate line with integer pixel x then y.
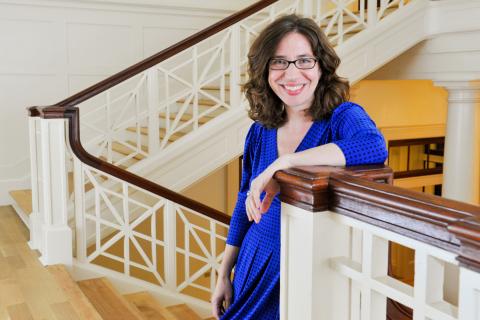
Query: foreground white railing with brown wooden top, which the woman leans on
{"type": "Point", "coordinates": [336, 230]}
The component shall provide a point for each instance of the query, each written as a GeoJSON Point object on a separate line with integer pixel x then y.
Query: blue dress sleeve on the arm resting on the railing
{"type": "Point", "coordinates": [357, 136]}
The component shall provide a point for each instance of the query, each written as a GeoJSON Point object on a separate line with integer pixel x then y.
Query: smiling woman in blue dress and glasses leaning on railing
{"type": "Point", "coordinates": [301, 119]}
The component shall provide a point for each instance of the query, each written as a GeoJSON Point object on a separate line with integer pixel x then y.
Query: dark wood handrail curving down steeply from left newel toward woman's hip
{"type": "Point", "coordinates": [72, 114]}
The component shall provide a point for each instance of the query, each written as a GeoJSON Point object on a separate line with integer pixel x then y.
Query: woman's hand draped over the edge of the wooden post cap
{"type": "Point", "coordinates": [264, 183]}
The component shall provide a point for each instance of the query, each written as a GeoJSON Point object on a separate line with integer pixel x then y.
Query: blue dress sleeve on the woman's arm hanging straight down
{"type": "Point", "coordinates": [239, 223]}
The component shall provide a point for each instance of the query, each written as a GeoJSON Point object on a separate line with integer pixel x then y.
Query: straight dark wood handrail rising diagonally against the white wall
{"type": "Point", "coordinates": [163, 55]}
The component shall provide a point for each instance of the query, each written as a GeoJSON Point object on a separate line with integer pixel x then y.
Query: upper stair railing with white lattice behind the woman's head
{"type": "Point", "coordinates": [138, 112]}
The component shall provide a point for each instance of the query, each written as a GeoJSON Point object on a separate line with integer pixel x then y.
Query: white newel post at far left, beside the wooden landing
{"type": "Point", "coordinates": [55, 239]}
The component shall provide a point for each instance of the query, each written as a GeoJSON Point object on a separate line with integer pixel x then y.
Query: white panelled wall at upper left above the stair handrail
{"type": "Point", "coordinates": [50, 49]}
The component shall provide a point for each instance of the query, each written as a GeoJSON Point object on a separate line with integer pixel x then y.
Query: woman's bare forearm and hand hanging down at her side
{"type": "Point", "coordinates": [222, 296]}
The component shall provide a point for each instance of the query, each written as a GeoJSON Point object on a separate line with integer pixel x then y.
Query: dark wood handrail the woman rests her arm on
{"type": "Point", "coordinates": [448, 224]}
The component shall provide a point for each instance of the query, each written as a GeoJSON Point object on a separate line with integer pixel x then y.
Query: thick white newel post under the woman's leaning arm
{"type": "Point", "coordinates": [309, 288]}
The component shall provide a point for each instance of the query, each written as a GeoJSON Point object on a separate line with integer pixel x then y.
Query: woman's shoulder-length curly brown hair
{"type": "Point", "coordinates": [265, 106]}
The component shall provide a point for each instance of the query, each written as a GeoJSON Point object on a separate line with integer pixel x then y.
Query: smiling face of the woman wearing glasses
{"type": "Point", "coordinates": [295, 87]}
